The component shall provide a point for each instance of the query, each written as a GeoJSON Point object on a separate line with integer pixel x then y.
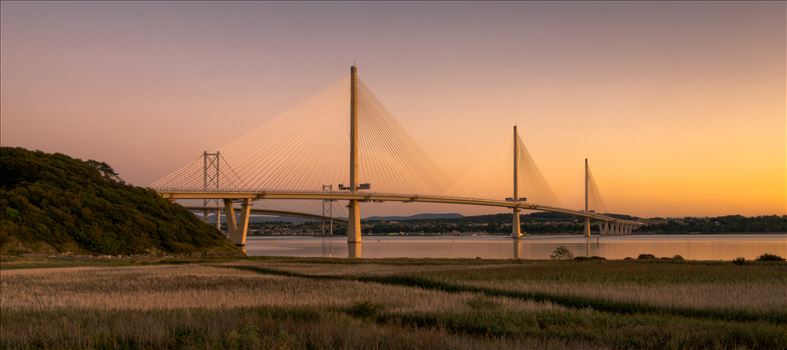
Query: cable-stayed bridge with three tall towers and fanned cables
{"type": "Point", "coordinates": [305, 148]}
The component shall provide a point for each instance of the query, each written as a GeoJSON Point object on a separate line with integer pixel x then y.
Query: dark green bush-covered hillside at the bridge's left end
{"type": "Point", "coordinates": [52, 203]}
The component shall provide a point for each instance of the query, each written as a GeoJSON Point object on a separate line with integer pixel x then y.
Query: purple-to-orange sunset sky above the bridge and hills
{"type": "Point", "coordinates": [679, 106]}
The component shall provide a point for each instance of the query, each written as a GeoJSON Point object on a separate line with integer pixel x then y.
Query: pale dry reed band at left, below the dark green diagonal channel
{"type": "Point", "coordinates": [196, 286]}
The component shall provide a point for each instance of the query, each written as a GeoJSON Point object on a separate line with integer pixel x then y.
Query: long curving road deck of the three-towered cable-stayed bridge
{"type": "Point", "coordinates": [384, 197]}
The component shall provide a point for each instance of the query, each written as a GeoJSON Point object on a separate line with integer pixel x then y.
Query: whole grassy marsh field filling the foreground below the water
{"type": "Point", "coordinates": [293, 303]}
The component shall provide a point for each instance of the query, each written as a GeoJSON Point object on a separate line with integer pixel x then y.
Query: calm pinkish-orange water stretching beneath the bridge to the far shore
{"type": "Point", "coordinates": [695, 247]}
